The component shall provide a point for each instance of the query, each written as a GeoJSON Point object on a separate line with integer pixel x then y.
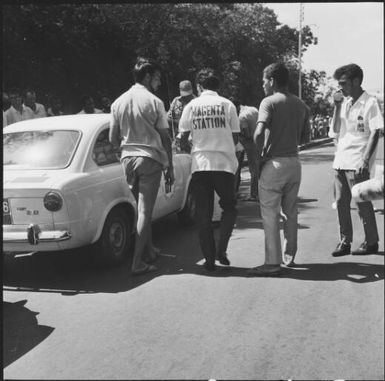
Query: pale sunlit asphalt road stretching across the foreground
{"type": "Point", "coordinates": [323, 320]}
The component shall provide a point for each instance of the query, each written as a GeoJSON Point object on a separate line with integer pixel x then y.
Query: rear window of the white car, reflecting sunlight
{"type": "Point", "coordinates": [51, 149]}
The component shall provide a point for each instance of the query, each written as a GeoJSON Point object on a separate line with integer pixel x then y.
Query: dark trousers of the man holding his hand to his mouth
{"type": "Point", "coordinates": [365, 209]}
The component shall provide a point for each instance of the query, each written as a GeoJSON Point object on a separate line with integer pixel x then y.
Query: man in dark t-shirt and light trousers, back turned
{"type": "Point", "coordinates": [285, 119]}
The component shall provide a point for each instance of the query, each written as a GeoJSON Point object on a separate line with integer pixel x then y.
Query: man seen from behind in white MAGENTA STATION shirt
{"type": "Point", "coordinates": [213, 123]}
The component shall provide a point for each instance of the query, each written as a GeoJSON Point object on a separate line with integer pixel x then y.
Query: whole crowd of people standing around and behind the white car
{"type": "Point", "coordinates": [217, 131]}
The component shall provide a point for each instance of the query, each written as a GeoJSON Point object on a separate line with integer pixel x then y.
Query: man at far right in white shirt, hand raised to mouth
{"type": "Point", "coordinates": [356, 124]}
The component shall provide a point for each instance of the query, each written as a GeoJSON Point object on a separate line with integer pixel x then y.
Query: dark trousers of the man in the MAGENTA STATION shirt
{"type": "Point", "coordinates": [204, 184]}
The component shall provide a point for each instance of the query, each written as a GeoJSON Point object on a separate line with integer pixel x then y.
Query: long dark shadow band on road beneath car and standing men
{"type": "Point", "coordinates": [176, 261]}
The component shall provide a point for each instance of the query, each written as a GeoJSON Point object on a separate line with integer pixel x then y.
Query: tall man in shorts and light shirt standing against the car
{"type": "Point", "coordinates": [139, 127]}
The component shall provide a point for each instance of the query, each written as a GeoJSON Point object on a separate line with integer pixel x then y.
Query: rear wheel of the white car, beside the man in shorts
{"type": "Point", "coordinates": [115, 241]}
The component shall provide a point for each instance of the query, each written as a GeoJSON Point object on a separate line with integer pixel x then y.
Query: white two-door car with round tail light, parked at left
{"type": "Point", "coordinates": [64, 188]}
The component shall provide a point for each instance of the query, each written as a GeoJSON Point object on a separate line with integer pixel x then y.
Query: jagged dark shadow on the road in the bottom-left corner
{"type": "Point", "coordinates": [21, 331]}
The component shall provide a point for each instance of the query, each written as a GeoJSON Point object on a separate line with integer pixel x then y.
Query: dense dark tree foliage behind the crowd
{"type": "Point", "coordinates": [69, 49]}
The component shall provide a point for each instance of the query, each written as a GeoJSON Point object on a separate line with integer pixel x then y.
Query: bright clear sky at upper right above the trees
{"type": "Point", "coordinates": [347, 33]}
